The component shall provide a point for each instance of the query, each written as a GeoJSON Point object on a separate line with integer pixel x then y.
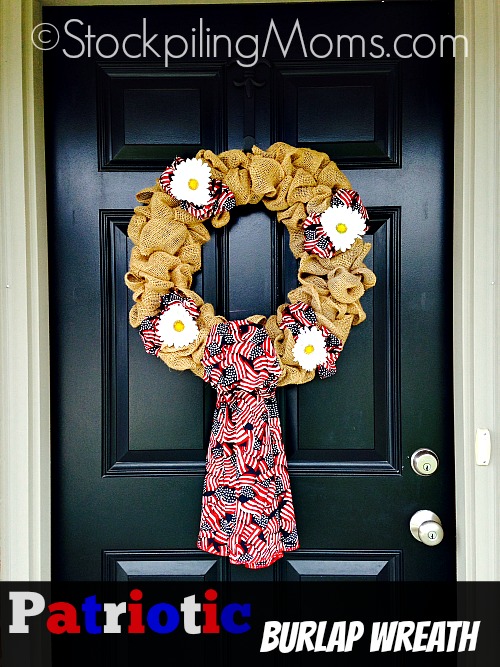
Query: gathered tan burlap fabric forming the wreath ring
{"type": "Point", "coordinates": [292, 182]}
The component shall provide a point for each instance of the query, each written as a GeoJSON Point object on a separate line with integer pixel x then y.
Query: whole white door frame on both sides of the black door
{"type": "Point", "coordinates": [24, 295]}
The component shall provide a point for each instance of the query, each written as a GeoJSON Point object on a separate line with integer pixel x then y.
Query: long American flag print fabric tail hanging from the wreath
{"type": "Point", "coordinates": [247, 510]}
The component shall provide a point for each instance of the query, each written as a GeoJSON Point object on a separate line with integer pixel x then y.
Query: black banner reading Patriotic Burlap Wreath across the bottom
{"type": "Point", "coordinates": [124, 624]}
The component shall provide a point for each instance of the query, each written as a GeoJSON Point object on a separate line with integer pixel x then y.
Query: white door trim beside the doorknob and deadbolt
{"type": "Point", "coordinates": [476, 293]}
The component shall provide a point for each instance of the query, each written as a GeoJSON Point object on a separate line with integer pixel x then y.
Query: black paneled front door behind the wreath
{"type": "Point", "coordinates": [129, 434]}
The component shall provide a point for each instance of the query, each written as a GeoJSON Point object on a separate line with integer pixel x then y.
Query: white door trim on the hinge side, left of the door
{"type": "Point", "coordinates": [24, 325]}
